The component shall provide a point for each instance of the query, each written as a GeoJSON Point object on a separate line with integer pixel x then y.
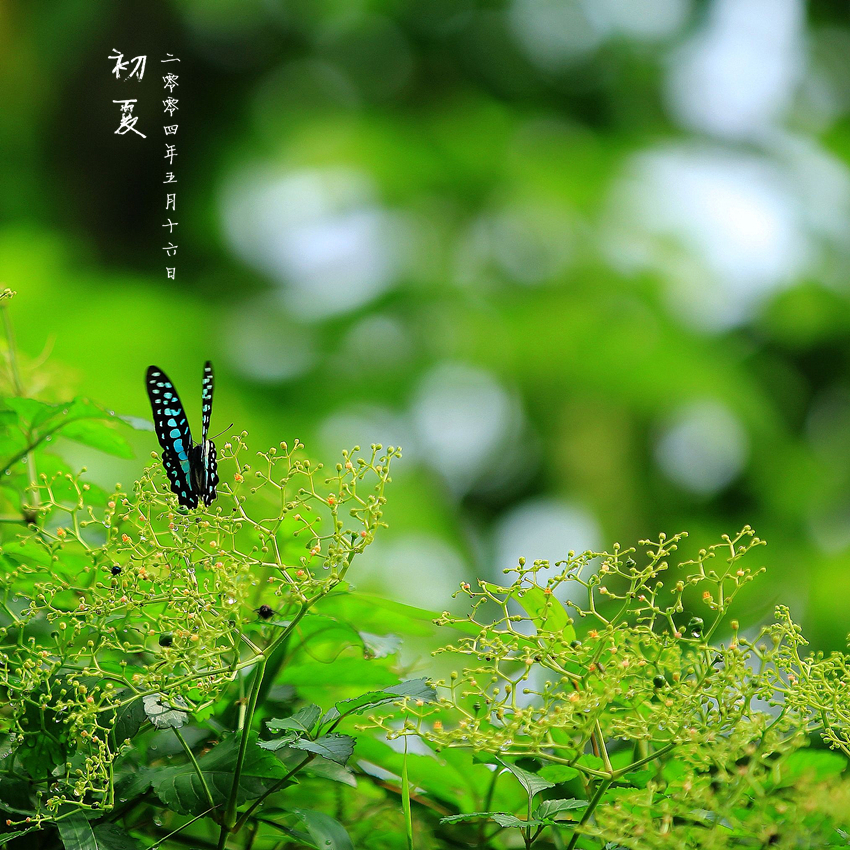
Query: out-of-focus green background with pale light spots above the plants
{"type": "Point", "coordinates": [586, 260]}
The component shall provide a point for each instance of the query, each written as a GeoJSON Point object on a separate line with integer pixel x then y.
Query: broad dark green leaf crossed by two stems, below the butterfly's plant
{"type": "Point", "coordinates": [180, 787]}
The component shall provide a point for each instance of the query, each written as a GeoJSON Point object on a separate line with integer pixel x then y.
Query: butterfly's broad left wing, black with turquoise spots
{"type": "Point", "coordinates": [174, 435]}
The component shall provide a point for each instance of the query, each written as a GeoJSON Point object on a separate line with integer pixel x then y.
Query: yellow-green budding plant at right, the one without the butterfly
{"type": "Point", "coordinates": [632, 712]}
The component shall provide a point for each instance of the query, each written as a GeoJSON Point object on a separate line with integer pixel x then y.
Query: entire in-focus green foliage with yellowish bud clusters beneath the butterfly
{"type": "Point", "coordinates": [213, 679]}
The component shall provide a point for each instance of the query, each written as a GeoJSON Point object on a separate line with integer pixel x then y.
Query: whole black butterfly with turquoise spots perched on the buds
{"type": "Point", "coordinates": [191, 468]}
